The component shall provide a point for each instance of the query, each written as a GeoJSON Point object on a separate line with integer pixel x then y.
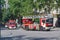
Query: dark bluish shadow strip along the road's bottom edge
{"type": "Point", "coordinates": [22, 37]}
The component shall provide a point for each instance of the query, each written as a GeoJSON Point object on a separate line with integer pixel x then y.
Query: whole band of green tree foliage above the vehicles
{"type": "Point", "coordinates": [25, 7]}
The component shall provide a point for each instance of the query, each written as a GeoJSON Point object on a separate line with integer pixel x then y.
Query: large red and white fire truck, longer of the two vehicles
{"type": "Point", "coordinates": [44, 24]}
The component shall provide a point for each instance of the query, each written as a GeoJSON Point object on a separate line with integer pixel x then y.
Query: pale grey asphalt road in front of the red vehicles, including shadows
{"type": "Point", "coordinates": [20, 34]}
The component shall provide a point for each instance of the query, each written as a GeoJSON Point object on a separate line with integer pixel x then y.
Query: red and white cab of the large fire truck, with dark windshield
{"type": "Point", "coordinates": [46, 23]}
